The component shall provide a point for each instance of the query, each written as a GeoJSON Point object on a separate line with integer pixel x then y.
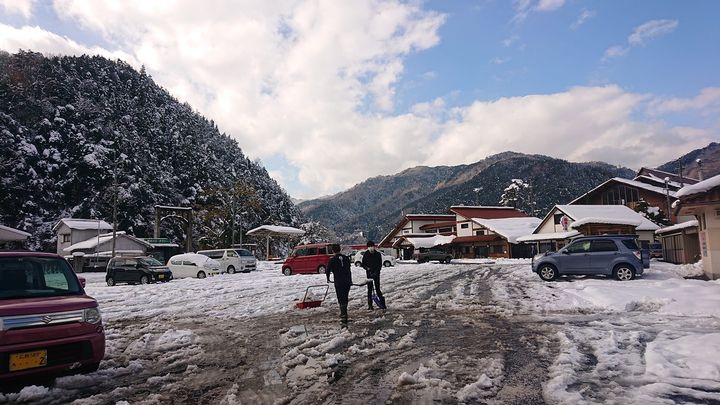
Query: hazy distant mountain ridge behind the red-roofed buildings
{"type": "Point", "coordinates": [375, 205]}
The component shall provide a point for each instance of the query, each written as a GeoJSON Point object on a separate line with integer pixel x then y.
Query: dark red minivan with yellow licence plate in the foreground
{"type": "Point", "coordinates": [48, 325]}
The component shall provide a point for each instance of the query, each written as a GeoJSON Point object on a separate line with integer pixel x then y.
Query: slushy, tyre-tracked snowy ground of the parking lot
{"type": "Point", "coordinates": [468, 332]}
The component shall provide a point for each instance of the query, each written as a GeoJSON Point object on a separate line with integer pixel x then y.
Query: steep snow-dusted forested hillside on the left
{"type": "Point", "coordinates": [71, 126]}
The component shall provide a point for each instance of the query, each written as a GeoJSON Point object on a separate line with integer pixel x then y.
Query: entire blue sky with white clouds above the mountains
{"type": "Point", "coordinates": [328, 93]}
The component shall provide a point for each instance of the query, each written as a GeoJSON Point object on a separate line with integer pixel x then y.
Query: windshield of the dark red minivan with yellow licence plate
{"type": "Point", "coordinates": [30, 277]}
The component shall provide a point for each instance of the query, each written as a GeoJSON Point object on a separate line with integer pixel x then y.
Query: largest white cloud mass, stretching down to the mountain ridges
{"type": "Point", "coordinates": [314, 83]}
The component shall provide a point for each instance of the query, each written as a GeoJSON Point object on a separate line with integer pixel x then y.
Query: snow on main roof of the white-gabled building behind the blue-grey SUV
{"type": "Point", "coordinates": [605, 213]}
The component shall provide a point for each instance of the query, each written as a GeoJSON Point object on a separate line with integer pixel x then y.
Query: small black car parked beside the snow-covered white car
{"type": "Point", "coordinates": [136, 270]}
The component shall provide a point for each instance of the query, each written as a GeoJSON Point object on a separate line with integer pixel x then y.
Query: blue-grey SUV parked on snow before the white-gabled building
{"type": "Point", "coordinates": [616, 255]}
